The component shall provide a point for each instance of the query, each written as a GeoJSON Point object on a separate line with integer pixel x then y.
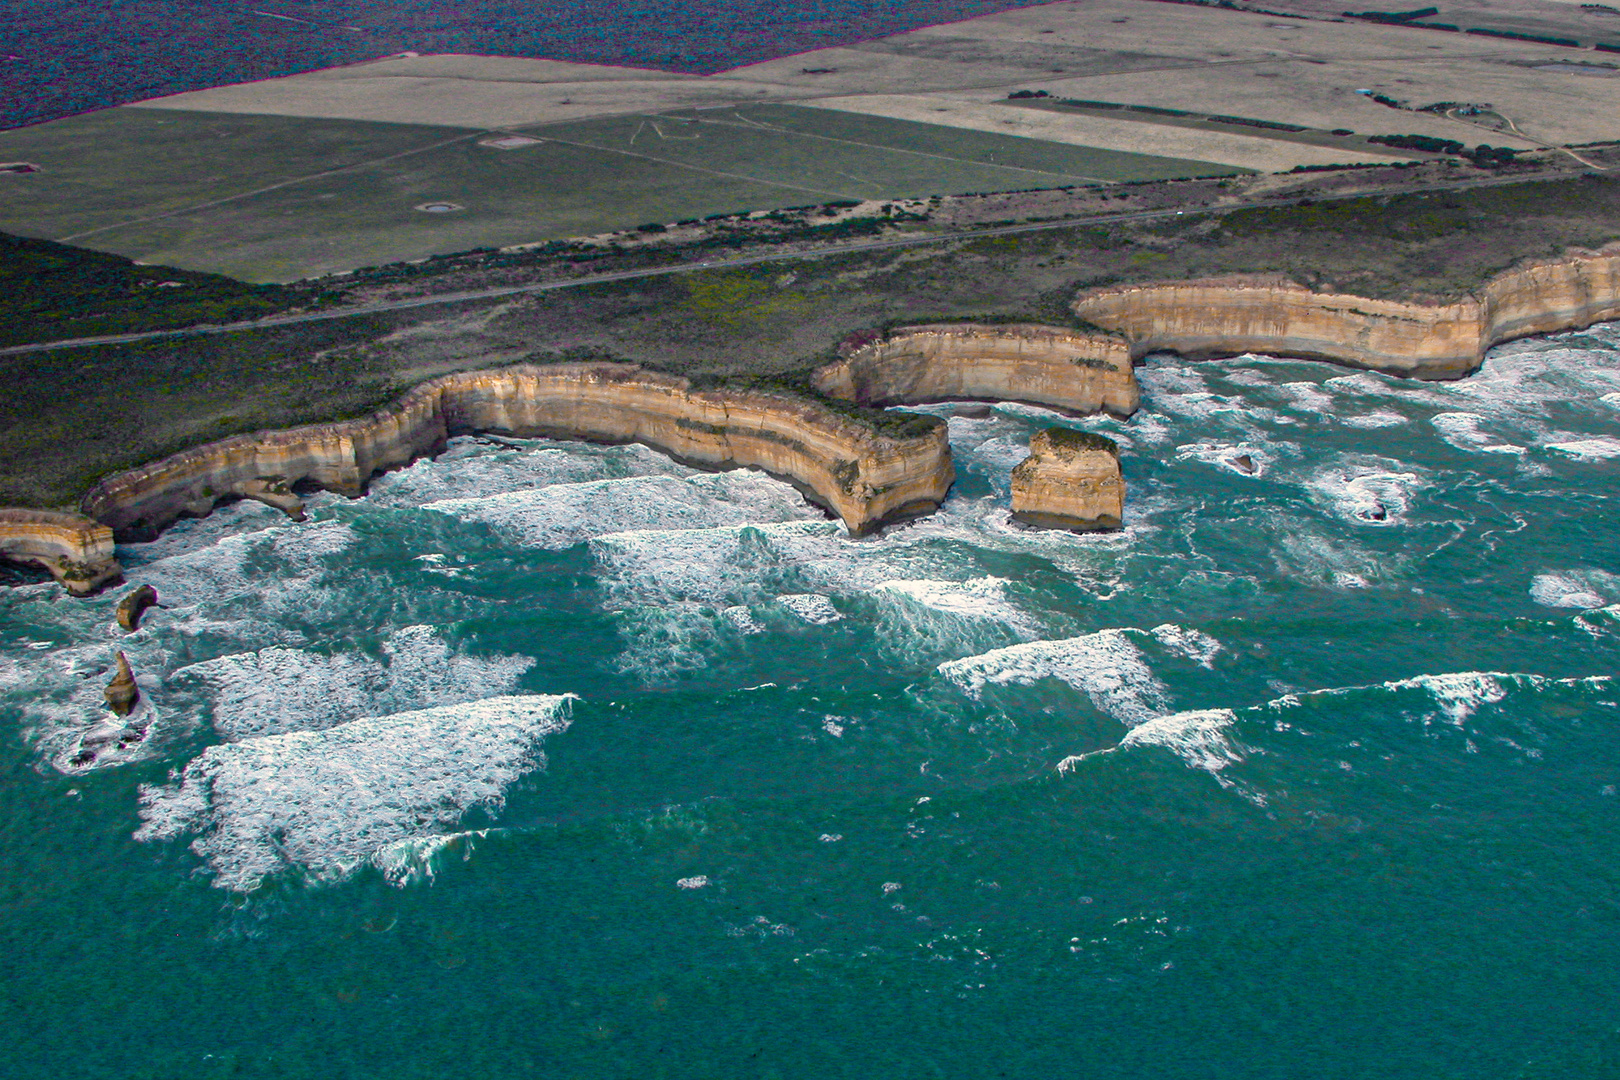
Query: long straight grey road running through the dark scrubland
{"type": "Point", "coordinates": [691, 268]}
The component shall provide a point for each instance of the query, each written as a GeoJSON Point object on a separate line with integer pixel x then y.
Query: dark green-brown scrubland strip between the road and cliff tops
{"type": "Point", "coordinates": [77, 414]}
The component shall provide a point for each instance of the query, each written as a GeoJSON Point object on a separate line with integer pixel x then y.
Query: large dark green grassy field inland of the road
{"type": "Point", "coordinates": [275, 200]}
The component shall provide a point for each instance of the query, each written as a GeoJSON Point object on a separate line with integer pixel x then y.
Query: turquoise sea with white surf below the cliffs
{"type": "Point", "coordinates": [550, 760]}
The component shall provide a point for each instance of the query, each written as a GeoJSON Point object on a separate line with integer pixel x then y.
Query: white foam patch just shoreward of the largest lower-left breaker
{"type": "Point", "coordinates": [296, 691]}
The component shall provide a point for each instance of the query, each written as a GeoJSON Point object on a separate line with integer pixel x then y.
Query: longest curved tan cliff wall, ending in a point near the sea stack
{"type": "Point", "coordinates": [863, 477]}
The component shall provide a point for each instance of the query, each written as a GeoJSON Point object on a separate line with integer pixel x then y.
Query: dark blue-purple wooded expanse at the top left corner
{"type": "Point", "coordinates": [62, 57]}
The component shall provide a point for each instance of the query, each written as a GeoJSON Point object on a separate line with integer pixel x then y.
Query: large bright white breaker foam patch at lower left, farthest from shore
{"type": "Point", "coordinates": [330, 802]}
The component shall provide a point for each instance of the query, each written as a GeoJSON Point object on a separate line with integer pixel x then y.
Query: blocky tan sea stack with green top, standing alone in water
{"type": "Point", "coordinates": [1070, 482]}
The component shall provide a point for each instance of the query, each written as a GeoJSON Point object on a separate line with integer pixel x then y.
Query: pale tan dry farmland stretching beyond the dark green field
{"type": "Point", "coordinates": [1120, 51]}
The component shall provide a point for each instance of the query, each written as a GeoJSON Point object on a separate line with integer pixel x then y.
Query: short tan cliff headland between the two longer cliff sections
{"type": "Point", "coordinates": [1081, 373]}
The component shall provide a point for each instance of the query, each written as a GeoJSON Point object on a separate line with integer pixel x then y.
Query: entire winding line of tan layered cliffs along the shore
{"type": "Point", "coordinates": [842, 462]}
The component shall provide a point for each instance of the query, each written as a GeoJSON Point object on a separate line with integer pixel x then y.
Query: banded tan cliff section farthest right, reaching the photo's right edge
{"type": "Point", "coordinates": [1224, 318]}
